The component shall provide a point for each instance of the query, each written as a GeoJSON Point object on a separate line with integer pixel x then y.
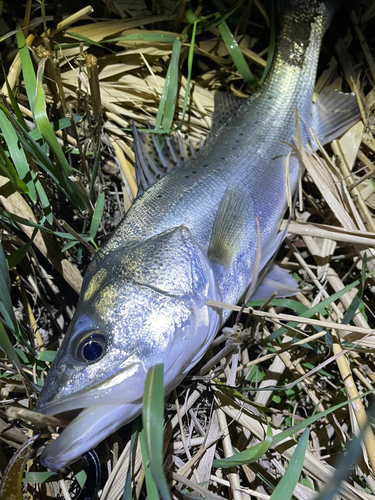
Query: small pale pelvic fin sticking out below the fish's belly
{"type": "Point", "coordinates": [277, 280]}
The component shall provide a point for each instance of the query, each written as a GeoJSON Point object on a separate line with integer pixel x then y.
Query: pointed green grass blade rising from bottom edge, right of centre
{"type": "Point", "coordinates": [288, 482]}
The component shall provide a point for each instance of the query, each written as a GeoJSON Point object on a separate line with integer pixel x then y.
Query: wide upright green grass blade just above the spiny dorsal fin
{"type": "Point", "coordinates": [167, 103]}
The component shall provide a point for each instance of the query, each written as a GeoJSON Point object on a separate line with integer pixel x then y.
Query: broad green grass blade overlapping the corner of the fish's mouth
{"type": "Point", "coordinates": [152, 418]}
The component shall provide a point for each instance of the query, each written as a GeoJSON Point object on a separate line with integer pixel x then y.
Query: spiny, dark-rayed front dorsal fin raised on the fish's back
{"type": "Point", "coordinates": [156, 155]}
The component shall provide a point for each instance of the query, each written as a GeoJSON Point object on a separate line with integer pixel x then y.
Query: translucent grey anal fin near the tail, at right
{"type": "Point", "coordinates": [333, 113]}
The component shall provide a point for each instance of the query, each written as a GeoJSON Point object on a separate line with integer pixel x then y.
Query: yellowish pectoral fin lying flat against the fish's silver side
{"type": "Point", "coordinates": [230, 226]}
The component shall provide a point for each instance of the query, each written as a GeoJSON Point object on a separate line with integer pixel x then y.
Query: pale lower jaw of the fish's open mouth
{"type": "Point", "coordinates": [90, 426]}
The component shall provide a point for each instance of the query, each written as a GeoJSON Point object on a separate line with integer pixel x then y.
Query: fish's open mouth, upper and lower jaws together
{"type": "Point", "coordinates": [92, 415]}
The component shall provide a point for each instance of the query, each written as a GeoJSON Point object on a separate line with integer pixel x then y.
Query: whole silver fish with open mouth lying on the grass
{"type": "Point", "coordinates": [193, 235]}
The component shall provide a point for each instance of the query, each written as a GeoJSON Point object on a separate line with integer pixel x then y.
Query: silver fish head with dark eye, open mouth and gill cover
{"type": "Point", "coordinates": [140, 305]}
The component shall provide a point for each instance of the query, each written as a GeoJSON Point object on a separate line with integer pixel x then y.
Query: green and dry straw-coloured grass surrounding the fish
{"type": "Point", "coordinates": [273, 409]}
